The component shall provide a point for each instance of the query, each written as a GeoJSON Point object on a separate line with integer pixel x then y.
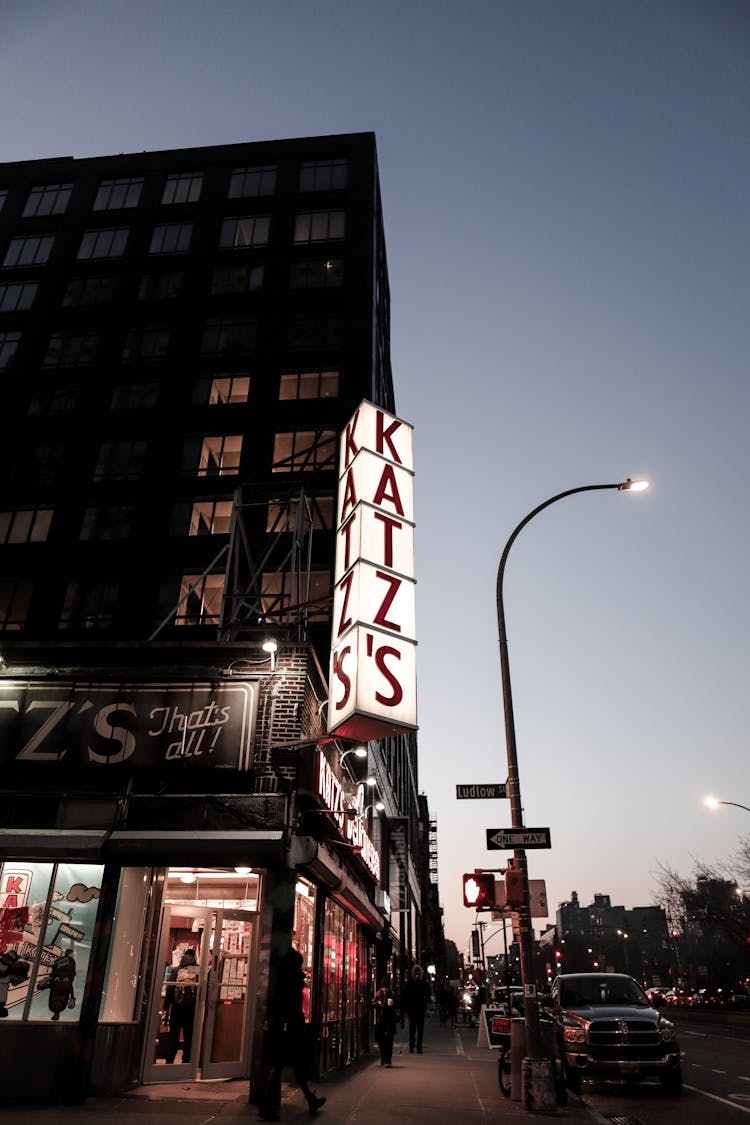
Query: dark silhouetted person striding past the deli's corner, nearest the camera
{"type": "Point", "coordinates": [285, 1040]}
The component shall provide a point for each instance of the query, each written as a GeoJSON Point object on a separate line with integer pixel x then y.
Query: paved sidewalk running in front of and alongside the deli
{"type": "Point", "coordinates": [454, 1083]}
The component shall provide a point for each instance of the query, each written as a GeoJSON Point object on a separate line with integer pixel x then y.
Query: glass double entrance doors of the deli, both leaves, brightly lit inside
{"type": "Point", "coordinates": [210, 1037]}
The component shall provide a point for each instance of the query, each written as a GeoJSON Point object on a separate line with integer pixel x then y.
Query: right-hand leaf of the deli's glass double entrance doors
{"type": "Point", "coordinates": [230, 998]}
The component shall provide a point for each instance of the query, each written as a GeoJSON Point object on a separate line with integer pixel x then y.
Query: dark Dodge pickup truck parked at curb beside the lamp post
{"type": "Point", "coordinates": [608, 1028]}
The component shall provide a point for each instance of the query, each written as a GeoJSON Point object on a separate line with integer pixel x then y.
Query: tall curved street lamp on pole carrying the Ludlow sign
{"type": "Point", "coordinates": [538, 1072]}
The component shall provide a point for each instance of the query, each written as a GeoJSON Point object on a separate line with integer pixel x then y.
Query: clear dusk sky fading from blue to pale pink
{"type": "Point", "coordinates": [566, 196]}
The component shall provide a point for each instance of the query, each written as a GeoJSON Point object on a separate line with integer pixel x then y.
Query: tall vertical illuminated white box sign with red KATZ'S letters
{"type": "Point", "coordinates": [373, 677]}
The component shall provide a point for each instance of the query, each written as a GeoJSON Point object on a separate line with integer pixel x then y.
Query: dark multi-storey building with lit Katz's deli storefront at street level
{"type": "Point", "coordinates": [184, 336]}
